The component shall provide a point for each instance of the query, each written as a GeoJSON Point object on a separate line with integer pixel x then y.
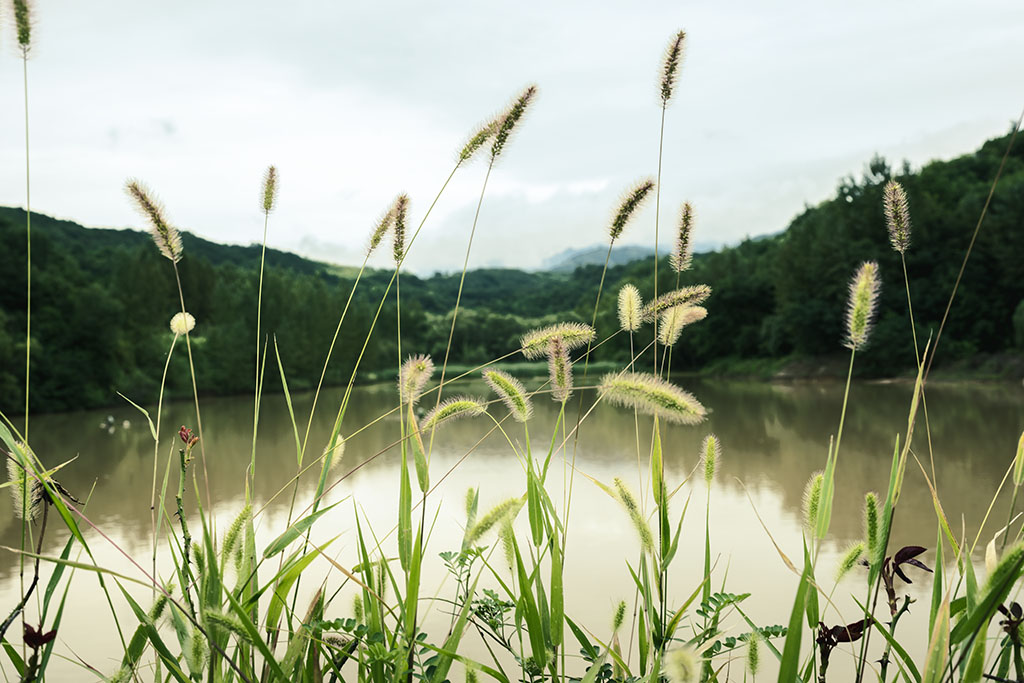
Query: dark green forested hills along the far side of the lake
{"type": "Point", "coordinates": [102, 300]}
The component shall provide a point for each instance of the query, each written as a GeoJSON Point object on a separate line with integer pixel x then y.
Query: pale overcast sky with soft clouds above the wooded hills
{"type": "Point", "coordinates": [357, 102]}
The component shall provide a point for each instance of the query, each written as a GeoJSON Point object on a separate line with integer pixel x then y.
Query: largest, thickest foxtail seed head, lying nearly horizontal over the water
{"type": "Point", "coordinates": [653, 396]}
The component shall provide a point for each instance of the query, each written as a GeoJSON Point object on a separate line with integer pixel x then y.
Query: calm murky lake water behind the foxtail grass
{"type": "Point", "coordinates": [774, 437]}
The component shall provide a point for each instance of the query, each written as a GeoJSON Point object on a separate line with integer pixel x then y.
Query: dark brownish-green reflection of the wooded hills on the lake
{"type": "Point", "coordinates": [775, 436]}
